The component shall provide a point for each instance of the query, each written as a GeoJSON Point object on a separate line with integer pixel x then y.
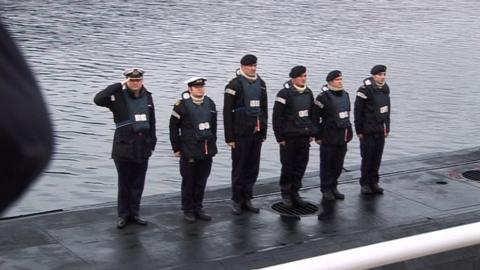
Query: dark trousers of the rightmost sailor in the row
{"type": "Point", "coordinates": [371, 150]}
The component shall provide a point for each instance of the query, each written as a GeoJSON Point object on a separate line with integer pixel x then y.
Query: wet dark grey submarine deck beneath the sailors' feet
{"type": "Point", "coordinates": [422, 194]}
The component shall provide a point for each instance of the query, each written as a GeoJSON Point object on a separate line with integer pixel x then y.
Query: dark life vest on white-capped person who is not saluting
{"type": "Point", "coordinates": [200, 115]}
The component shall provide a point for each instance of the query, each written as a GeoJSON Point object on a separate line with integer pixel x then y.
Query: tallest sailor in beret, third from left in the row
{"type": "Point", "coordinates": [245, 114]}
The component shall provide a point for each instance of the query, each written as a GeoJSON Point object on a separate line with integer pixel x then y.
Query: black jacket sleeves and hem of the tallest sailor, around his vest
{"type": "Point", "coordinates": [237, 124]}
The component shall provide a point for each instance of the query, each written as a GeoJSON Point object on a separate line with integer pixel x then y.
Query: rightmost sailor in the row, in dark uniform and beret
{"type": "Point", "coordinates": [372, 125]}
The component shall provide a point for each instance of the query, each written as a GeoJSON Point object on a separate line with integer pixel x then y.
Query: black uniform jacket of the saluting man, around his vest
{"type": "Point", "coordinates": [127, 144]}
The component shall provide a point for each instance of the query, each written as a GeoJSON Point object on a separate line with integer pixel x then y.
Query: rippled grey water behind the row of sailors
{"type": "Point", "coordinates": [76, 48]}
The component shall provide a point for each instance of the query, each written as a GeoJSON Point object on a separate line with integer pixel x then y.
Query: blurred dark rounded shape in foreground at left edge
{"type": "Point", "coordinates": [26, 136]}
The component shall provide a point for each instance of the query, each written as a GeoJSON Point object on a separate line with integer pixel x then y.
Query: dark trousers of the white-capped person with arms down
{"type": "Point", "coordinates": [194, 178]}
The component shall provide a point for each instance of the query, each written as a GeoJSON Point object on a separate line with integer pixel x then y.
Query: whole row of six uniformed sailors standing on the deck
{"type": "Point", "coordinates": [298, 119]}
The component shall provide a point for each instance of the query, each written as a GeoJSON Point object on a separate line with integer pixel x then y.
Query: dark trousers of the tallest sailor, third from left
{"type": "Point", "coordinates": [245, 166]}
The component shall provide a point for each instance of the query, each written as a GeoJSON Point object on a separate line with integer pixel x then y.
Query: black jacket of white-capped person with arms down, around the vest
{"type": "Point", "coordinates": [189, 147]}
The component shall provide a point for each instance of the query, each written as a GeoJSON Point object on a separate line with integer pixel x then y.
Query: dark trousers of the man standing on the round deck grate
{"type": "Point", "coordinates": [294, 158]}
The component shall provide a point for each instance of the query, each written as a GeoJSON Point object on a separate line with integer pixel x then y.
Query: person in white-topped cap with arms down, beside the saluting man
{"type": "Point", "coordinates": [193, 136]}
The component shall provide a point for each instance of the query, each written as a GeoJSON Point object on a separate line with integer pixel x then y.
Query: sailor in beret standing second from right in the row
{"type": "Point", "coordinates": [335, 131]}
